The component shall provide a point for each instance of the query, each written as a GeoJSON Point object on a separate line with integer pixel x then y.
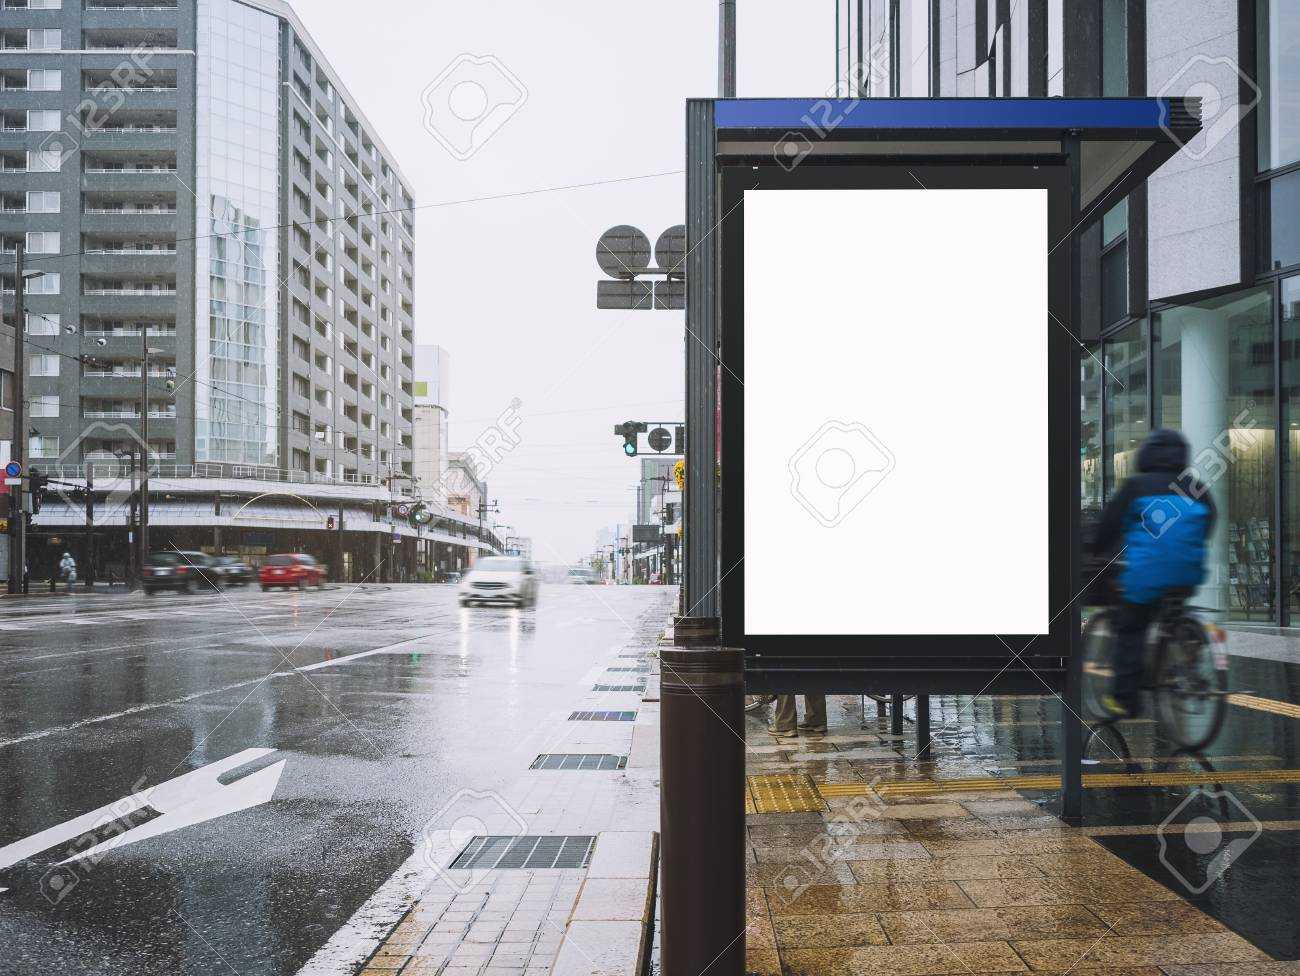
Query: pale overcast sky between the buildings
{"type": "Point", "coordinates": [509, 287]}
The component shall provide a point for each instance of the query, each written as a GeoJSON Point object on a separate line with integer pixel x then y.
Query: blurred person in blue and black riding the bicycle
{"type": "Point", "coordinates": [1162, 517]}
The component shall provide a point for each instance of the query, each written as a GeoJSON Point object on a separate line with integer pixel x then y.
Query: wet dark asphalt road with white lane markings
{"type": "Point", "coordinates": [255, 766]}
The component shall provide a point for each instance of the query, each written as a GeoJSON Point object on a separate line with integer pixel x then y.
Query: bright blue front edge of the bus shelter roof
{"type": "Point", "coordinates": [942, 114]}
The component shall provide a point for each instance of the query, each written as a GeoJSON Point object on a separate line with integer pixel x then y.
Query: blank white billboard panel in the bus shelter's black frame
{"type": "Point", "coordinates": [896, 401]}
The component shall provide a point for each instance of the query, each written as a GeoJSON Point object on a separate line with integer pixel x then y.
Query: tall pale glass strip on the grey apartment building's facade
{"type": "Point", "coordinates": [237, 316]}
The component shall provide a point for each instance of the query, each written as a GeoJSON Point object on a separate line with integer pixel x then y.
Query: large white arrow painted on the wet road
{"type": "Point", "coordinates": [187, 800]}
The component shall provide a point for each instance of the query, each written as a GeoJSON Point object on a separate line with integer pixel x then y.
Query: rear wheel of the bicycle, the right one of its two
{"type": "Point", "coordinates": [1191, 684]}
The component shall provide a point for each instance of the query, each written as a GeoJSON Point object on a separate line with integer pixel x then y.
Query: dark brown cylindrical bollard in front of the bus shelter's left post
{"type": "Point", "coordinates": [703, 803]}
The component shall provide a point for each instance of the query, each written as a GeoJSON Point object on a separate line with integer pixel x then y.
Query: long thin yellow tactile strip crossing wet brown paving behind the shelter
{"type": "Point", "coordinates": [922, 788]}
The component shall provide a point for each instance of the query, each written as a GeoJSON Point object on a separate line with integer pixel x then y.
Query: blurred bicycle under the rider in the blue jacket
{"type": "Point", "coordinates": [1186, 671]}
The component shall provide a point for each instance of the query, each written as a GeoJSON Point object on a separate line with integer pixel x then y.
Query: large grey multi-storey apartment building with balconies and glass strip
{"type": "Point", "coordinates": [206, 198]}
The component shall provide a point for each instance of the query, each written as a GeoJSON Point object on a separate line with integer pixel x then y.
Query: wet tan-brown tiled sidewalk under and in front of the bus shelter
{"type": "Point", "coordinates": [860, 862]}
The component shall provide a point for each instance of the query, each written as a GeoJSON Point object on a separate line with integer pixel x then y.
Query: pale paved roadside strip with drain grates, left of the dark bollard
{"type": "Point", "coordinates": [512, 918]}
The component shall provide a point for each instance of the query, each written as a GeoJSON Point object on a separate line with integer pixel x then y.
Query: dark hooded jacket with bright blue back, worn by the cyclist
{"type": "Point", "coordinates": [1162, 517]}
